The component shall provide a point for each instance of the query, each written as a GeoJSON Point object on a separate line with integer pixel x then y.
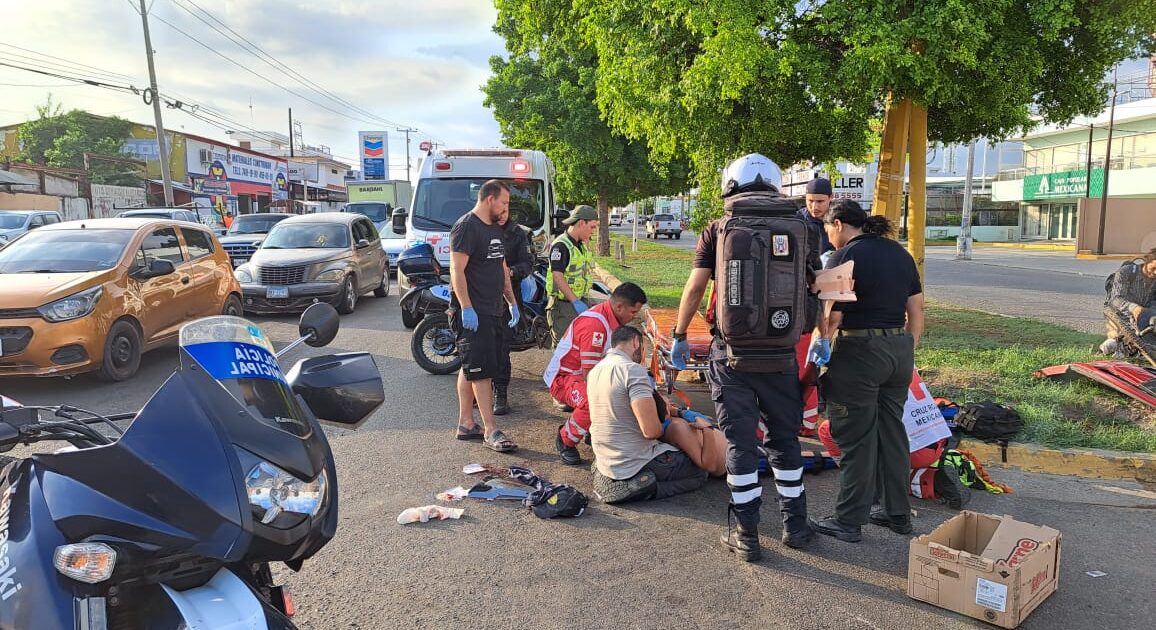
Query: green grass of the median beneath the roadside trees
{"type": "Point", "coordinates": [969, 357]}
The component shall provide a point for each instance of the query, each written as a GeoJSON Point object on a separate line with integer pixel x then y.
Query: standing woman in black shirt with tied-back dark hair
{"type": "Point", "coordinates": [868, 379]}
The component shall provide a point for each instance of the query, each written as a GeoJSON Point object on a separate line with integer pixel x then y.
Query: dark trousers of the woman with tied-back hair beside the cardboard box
{"type": "Point", "coordinates": [866, 388]}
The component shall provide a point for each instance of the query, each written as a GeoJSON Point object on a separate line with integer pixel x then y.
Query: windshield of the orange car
{"type": "Point", "coordinates": [65, 251]}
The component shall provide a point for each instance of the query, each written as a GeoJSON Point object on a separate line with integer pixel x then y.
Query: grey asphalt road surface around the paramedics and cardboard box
{"type": "Point", "coordinates": [650, 566]}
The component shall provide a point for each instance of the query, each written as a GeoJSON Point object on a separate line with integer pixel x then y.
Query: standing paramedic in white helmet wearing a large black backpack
{"type": "Point", "coordinates": [761, 256]}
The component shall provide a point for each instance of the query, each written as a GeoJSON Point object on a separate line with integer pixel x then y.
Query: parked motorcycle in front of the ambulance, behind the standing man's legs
{"type": "Point", "coordinates": [435, 344]}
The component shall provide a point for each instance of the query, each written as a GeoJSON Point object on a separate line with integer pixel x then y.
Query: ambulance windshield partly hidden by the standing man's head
{"type": "Point", "coordinates": [440, 203]}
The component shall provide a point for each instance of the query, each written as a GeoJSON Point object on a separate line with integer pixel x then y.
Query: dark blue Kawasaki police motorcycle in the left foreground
{"type": "Point", "coordinates": [173, 523]}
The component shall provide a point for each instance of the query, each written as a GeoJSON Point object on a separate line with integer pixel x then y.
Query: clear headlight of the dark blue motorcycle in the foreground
{"type": "Point", "coordinates": [273, 492]}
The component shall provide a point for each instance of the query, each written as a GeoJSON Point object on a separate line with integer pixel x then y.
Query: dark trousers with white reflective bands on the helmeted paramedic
{"type": "Point", "coordinates": [740, 401]}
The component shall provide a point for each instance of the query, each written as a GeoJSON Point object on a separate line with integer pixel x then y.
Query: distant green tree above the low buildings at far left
{"type": "Point", "coordinates": [62, 139]}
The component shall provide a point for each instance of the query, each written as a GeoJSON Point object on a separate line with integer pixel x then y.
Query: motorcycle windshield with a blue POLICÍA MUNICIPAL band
{"type": "Point", "coordinates": [239, 357]}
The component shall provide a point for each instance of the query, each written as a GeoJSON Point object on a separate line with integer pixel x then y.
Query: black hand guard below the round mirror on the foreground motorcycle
{"type": "Point", "coordinates": [343, 389]}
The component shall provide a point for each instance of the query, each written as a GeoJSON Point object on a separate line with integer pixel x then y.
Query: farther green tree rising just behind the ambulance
{"type": "Point", "coordinates": [544, 98]}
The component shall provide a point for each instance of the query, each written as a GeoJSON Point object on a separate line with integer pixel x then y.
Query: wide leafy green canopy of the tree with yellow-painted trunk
{"type": "Point", "coordinates": [804, 81]}
